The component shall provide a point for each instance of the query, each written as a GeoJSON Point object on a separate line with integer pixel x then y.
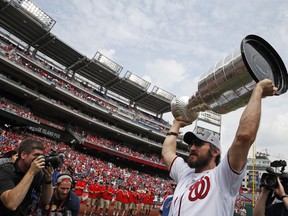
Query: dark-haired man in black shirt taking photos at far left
{"type": "Point", "coordinates": [19, 179]}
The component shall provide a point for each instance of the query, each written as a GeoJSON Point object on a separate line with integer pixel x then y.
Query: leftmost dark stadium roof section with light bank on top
{"type": "Point", "coordinates": [35, 32]}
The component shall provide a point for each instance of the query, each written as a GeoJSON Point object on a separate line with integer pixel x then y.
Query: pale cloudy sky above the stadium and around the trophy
{"type": "Point", "coordinates": [172, 43]}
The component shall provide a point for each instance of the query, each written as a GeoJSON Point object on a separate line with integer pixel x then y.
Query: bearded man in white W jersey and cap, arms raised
{"type": "Point", "coordinates": [204, 186]}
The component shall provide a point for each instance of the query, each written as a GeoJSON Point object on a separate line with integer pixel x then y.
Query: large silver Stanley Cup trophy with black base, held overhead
{"type": "Point", "coordinates": [228, 85]}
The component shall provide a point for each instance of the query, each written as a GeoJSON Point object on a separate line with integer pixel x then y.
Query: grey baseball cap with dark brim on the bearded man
{"type": "Point", "coordinates": [204, 135]}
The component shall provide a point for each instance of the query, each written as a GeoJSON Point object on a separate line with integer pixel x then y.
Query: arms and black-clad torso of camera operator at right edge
{"type": "Point", "coordinates": [277, 209]}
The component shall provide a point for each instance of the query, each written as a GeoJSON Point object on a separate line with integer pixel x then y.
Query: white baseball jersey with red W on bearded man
{"type": "Point", "coordinates": [212, 192]}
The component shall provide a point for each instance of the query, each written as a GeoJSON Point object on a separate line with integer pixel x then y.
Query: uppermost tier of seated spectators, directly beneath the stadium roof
{"type": "Point", "coordinates": [81, 89]}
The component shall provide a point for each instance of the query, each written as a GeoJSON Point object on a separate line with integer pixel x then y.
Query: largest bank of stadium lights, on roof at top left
{"type": "Point", "coordinates": [36, 13]}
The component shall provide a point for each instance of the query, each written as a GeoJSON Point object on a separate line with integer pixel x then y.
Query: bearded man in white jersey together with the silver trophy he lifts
{"type": "Point", "coordinates": [206, 186]}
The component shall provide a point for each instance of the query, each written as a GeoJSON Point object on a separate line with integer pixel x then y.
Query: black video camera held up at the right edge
{"type": "Point", "coordinates": [269, 179]}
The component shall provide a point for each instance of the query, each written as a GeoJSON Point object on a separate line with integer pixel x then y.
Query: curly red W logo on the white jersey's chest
{"type": "Point", "coordinates": [200, 189]}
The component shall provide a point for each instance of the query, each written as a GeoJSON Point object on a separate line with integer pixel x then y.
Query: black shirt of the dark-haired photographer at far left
{"type": "Point", "coordinates": [10, 176]}
